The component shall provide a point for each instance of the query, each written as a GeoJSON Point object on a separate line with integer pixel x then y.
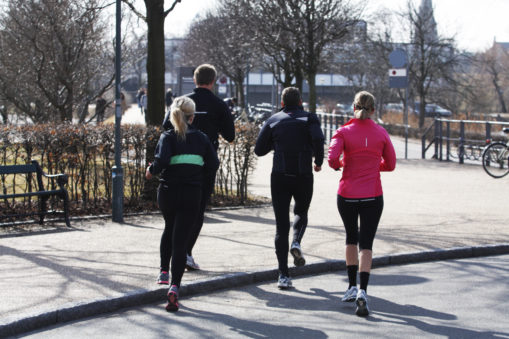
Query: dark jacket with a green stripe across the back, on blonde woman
{"type": "Point", "coordinates": [193, 161]}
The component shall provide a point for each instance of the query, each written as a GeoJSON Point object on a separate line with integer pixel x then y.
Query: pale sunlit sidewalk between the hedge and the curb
{"type": "Point", "coordinates": [99, 265]}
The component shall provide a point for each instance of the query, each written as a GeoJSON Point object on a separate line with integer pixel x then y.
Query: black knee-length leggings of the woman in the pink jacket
{"type": "Point", "coordinates": [369, 211]}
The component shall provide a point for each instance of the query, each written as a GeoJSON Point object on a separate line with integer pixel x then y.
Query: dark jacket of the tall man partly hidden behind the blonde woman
{"type": "Point", "coordinates": [212, 116]}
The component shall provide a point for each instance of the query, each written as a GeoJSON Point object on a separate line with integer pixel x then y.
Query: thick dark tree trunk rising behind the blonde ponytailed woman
{"type": "Point", "coordinates": [155, 62]}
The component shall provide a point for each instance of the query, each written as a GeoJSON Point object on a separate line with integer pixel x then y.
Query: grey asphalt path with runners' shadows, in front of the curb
{"type": "Point", "coordinates": [464, 298]}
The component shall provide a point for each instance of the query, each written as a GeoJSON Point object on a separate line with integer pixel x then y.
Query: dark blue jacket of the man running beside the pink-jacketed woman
{"type": "Point", "coordinates": [295, 136]}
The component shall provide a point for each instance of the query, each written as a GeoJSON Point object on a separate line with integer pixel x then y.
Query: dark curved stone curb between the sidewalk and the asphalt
{"type": "Point", "coordinates": [90, 308]}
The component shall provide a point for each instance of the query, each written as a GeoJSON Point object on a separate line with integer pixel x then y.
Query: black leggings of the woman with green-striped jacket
{"type": "Point", "coordinates": [180, 205]}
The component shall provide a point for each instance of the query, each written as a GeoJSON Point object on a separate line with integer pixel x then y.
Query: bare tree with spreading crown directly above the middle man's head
{"type": "Point", "coordinates": [294, 34]}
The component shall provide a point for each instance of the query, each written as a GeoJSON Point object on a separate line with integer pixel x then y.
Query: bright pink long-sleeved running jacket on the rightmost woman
{"type": "Point", "coordinates": [367, 150]}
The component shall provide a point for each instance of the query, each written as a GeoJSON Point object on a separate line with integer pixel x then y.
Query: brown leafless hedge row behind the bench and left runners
{"type": "Point", "coordinates": [86, 154]}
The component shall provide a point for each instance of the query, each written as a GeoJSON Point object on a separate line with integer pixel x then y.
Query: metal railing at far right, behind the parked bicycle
{"type": "Point", "coordinates": [458, 145]}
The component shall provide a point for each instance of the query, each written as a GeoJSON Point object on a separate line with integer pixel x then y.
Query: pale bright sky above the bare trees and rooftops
{"type": "Point", "coordinates": [473, 24]}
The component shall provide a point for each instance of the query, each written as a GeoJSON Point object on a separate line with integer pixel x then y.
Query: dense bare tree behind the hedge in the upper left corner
{"type": "Point", "coordinates": [54, 59]}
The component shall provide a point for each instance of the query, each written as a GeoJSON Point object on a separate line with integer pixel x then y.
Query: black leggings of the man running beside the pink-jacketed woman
{"type": "Point", "coordinates": [283, 188]}
